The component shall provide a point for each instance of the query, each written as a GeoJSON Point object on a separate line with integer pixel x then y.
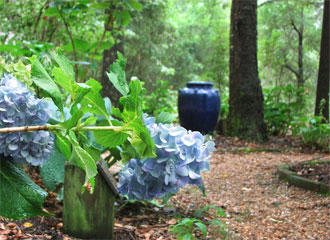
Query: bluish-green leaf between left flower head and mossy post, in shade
{"type": "Point", "coordinates": [52, 171]}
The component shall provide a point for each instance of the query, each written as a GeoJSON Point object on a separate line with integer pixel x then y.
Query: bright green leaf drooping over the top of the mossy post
{"type": "Point", "coordinates": [84, 160]}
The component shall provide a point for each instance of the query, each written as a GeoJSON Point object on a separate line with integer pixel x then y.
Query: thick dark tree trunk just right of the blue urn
{"type": "Point", "coordinates": [246, 114]}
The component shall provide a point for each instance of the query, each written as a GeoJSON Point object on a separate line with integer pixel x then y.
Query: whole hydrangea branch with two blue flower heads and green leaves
{"type": "Point", "coordinates": [162, 158]}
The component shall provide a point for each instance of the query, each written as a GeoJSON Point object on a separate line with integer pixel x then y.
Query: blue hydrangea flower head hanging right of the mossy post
{"type": "Point", "coordinates": [181, 157]}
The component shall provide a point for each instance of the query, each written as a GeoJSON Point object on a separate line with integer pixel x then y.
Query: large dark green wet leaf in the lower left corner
{"type": "Point", "coordinates": [20, 197]}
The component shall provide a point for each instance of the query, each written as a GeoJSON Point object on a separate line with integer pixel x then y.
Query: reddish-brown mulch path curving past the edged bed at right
{"type": "Point", "coordinates": [259, 205]}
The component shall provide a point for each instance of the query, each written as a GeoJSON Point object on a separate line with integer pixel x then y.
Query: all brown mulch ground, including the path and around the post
{"type": "Point", "coordinates": [242, 181]}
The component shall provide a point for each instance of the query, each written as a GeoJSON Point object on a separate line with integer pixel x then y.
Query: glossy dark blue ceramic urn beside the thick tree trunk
{"type": "Point", "coordinates": [199, 106]}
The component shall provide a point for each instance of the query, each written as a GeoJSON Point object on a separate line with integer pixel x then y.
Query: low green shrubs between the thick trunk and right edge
{"type": "Point", "coordinates": [282, 118]}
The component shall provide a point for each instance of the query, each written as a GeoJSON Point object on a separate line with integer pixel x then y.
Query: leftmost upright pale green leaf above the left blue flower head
{"type": "Point", "coordinates": [41, 78]}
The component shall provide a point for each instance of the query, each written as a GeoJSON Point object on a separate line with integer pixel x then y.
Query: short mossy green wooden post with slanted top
{"type": "Point", "coordinates": [89, 216]}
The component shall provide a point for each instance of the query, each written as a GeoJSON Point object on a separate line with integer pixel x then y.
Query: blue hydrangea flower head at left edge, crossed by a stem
{"type": "Point", "coordinates": [19, 107]}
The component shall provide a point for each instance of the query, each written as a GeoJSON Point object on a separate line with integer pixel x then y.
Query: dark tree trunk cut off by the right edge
{"type": "Point", "coordinates": [323, 81]}
